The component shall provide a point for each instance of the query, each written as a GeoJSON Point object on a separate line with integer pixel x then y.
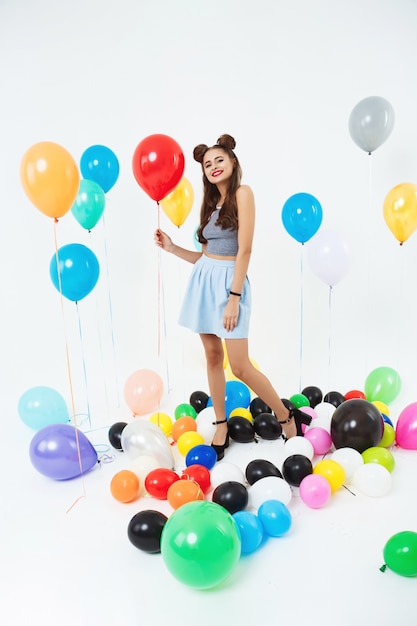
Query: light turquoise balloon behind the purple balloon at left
{"type": "Point", "coordinates": [41, 406]}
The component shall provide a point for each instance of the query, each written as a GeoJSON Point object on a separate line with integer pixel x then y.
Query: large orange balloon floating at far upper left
{"type": "Point", "coordinates": [50, 178]}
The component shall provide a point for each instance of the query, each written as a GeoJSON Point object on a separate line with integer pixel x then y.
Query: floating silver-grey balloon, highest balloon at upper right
{"type": "Point", "coordinates": [371, 123]}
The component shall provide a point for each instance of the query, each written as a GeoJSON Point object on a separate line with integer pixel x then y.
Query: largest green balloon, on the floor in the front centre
{"type": "Point", "coordinates": [200, 544]}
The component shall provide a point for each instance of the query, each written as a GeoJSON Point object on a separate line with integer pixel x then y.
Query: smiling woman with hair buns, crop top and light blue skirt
{"type": "Point", "coordinates": [217, 301]}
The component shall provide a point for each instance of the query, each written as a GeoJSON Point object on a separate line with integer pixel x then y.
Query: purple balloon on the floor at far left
{"type": "Point", "coordinates": [60, 451]}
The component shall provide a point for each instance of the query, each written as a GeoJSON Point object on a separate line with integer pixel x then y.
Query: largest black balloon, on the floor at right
{"type": "Point", "coordinates": [356, 424]}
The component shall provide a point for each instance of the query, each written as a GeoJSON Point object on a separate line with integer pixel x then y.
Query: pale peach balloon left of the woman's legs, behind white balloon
{"type": "Point", "coordinates": [143, 391]}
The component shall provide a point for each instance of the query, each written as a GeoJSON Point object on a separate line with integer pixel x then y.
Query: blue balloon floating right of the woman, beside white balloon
{"type": "Point", "coordinates": [302, 216]}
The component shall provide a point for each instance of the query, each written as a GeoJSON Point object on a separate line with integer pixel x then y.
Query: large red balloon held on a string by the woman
{"type": "Point", "coordinates": [158, 165]}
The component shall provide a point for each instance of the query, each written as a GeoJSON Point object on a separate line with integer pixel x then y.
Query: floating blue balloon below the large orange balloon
{"type": "Point", "coordinates": [78, 271]}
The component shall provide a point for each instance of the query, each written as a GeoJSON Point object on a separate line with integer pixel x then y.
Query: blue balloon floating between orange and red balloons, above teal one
{"type": "Point", "coordinates": [100, 164]}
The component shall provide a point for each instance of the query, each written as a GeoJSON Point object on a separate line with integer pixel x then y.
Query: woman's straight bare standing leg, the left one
{"type": "Point", "coordinates": [217, 382]}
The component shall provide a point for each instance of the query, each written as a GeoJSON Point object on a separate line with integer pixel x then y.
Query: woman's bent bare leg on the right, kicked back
{"type": "Point", "coordinates": [242, 368]}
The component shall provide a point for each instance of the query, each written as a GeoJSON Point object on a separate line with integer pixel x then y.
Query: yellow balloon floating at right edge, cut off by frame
{"type": "Point", "coordinates": [400, 211]}
